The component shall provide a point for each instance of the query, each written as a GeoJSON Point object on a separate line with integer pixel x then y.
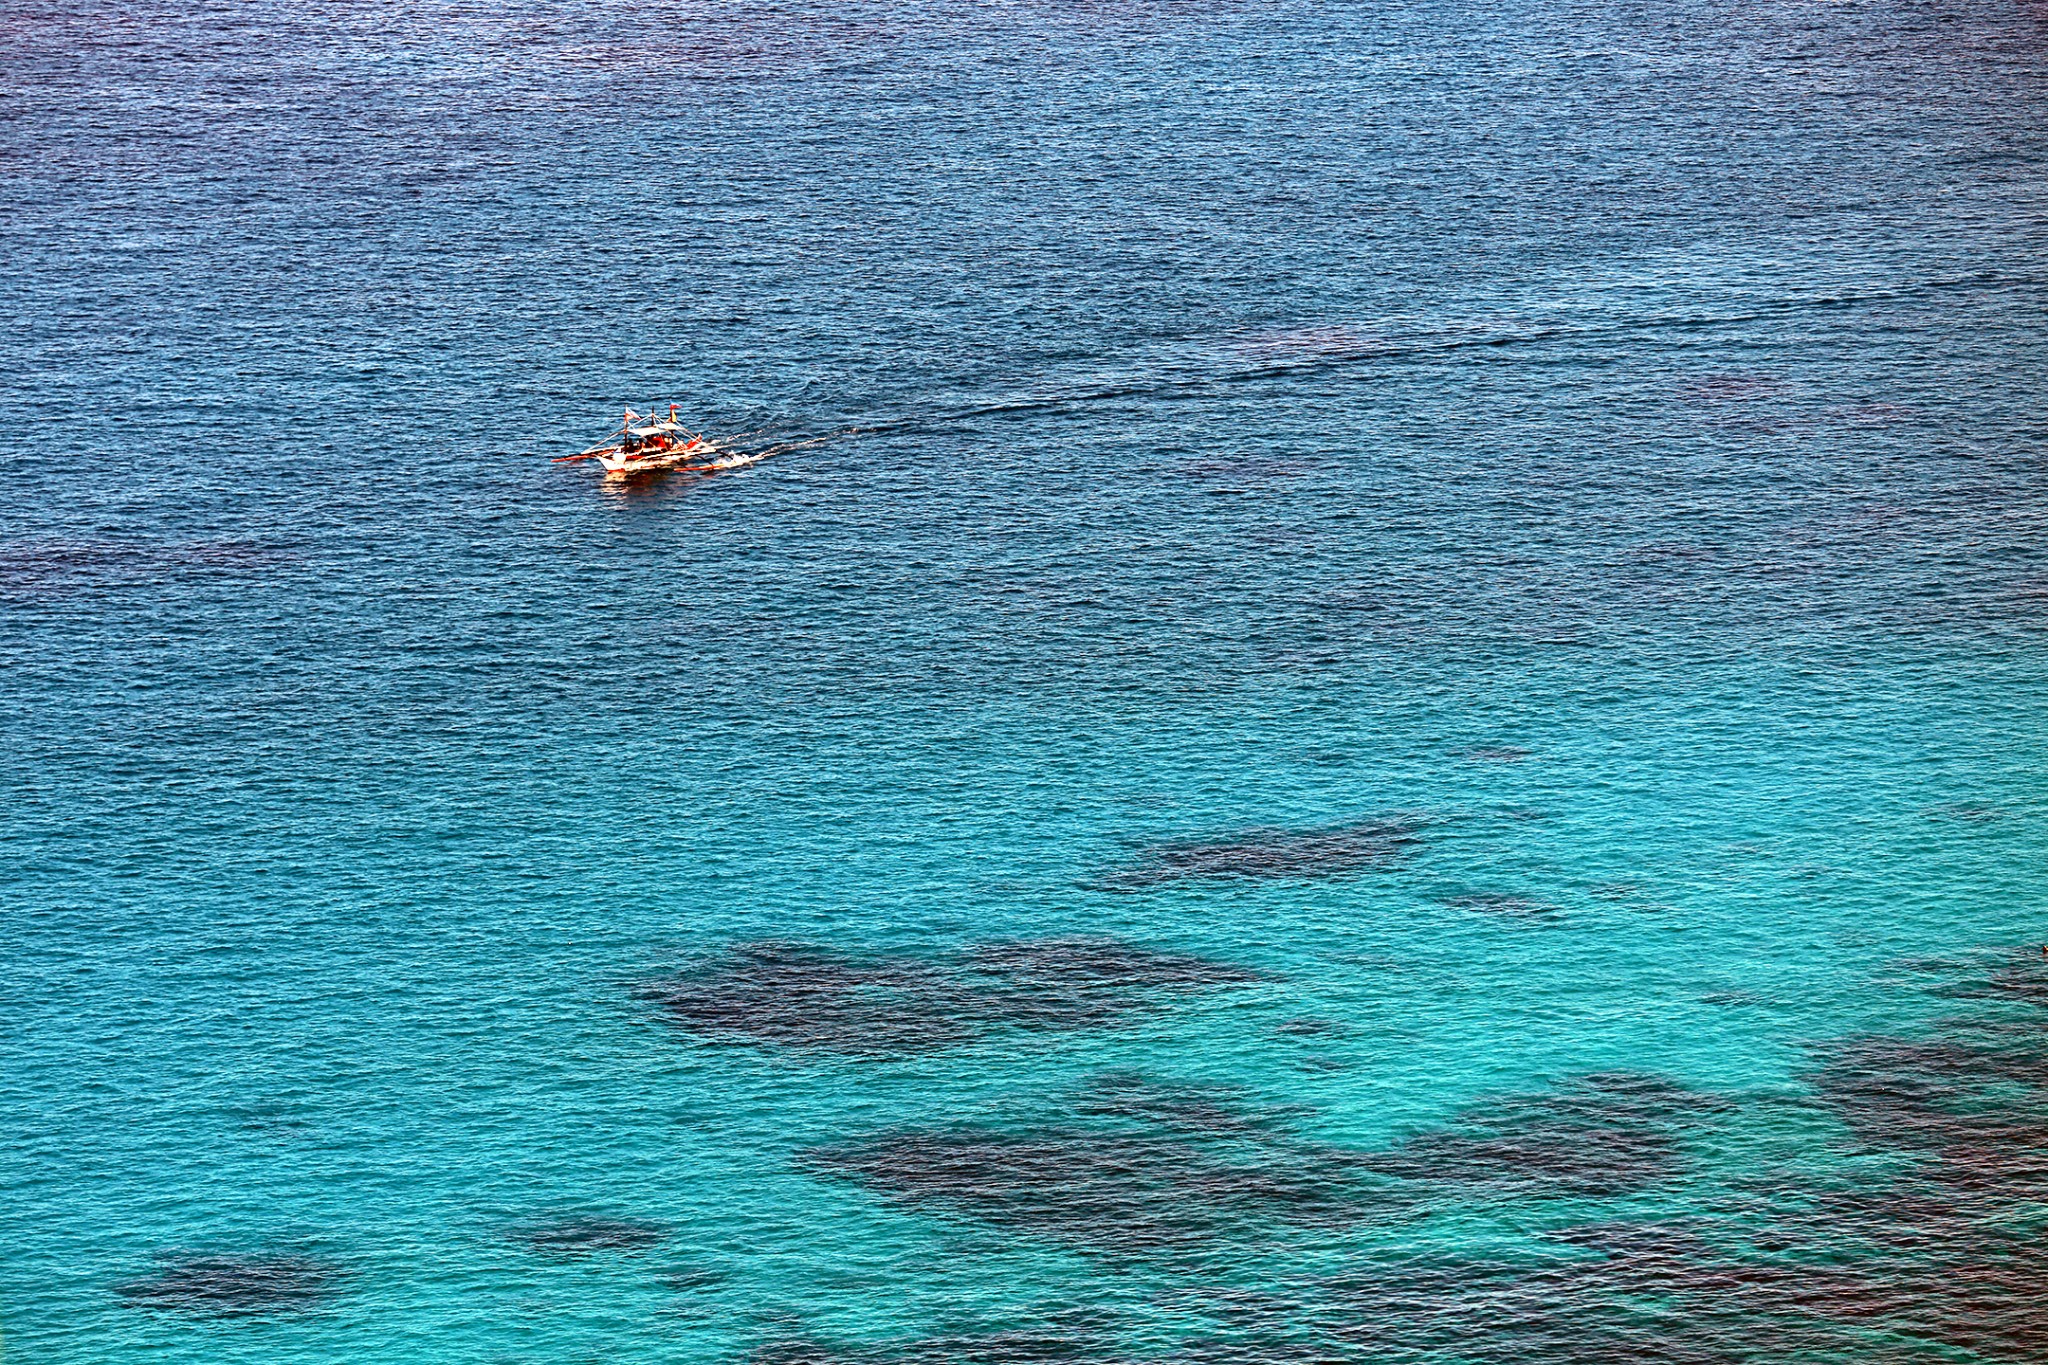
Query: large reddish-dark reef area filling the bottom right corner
{"type": "Point", "coordinates": [1945, 1249]}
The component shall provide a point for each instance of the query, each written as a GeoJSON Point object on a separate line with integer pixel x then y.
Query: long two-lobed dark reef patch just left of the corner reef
{"type": "Point", "coordinates": [1142, 1168]}
